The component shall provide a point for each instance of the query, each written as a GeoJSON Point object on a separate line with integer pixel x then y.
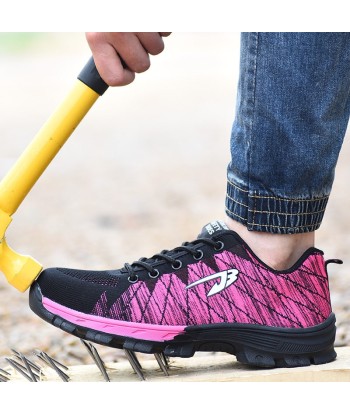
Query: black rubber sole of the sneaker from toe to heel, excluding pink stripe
{"type": "Point", "coordinates": [254, 345]}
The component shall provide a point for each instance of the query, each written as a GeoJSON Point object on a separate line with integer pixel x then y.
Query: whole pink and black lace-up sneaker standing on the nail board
{"type": "Point", "coordinates": [212, 294]}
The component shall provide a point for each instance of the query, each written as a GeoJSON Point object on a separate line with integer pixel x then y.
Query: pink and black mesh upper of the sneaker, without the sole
{"type": "Point", "coordinates": [214, 279]}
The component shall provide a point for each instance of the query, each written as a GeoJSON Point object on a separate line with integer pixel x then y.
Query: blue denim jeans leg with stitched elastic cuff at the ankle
{"type": "Point", "coordinates": [293, 106]}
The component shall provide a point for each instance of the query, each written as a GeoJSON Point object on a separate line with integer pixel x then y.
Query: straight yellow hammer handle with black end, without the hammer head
{"type": "Point", "coordinates": [55, 132]}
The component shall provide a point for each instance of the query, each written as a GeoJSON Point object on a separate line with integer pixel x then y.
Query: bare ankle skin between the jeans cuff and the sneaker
{"type": "Point", "coordinates": [278, 251]}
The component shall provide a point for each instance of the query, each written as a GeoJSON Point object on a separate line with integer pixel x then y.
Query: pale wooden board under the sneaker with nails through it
{"type": "Point", "coordinates": [218, 367]}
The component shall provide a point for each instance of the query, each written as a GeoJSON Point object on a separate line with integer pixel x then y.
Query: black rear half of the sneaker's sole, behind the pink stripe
{"type": "Point", "coordinates": [261, 346]}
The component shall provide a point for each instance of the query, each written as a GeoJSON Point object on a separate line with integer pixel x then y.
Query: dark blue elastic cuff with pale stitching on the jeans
{"type": "Point", "coordinates": [274, 214]}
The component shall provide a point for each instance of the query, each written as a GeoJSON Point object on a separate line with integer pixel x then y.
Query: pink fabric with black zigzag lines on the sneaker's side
{"type": "Point", "coordinates": [297, 299]}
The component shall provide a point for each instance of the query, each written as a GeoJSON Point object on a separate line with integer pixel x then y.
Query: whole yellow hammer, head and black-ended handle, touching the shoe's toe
{"type": "Point", "coordinates": [22, 270]}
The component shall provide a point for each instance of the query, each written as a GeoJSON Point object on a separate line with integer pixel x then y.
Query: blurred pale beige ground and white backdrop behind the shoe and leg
{"type": "Point", "coordinates": [143, 172]}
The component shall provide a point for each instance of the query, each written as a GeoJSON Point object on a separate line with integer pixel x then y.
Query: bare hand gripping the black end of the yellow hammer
{"type": "Point", "coordinates": [119, 55]}
